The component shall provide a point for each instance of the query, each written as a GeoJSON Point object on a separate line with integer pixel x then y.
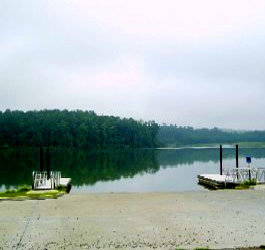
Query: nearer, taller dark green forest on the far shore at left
{"type": "Point", "coordinates": [74, 129]}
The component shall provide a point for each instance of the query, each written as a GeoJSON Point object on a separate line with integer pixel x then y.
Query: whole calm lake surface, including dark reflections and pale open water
{"type": "Point", "coordinates": [124, 170]}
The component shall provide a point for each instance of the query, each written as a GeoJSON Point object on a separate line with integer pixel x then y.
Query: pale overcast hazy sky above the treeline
{"type": "Point", "coordinates": [198, 63]}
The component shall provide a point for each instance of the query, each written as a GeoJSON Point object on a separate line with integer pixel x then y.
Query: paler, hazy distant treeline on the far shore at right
{"type": "Point", "coordinates": [179, 136]}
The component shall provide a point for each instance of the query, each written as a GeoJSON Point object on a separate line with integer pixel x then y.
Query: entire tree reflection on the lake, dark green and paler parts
{"type": "Point", "coordinates": [88, 168]}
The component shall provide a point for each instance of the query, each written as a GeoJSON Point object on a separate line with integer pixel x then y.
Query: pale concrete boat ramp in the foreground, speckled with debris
{"type": "Point", "coordinates": [219, 219]}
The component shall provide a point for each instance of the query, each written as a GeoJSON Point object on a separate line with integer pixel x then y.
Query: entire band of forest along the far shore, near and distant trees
{"type": "Point", "coordinates": [87, 130]}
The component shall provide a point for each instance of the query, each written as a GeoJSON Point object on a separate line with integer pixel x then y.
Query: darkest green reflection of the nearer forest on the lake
{"type": "Point", "coordinates": [16, 165]}
